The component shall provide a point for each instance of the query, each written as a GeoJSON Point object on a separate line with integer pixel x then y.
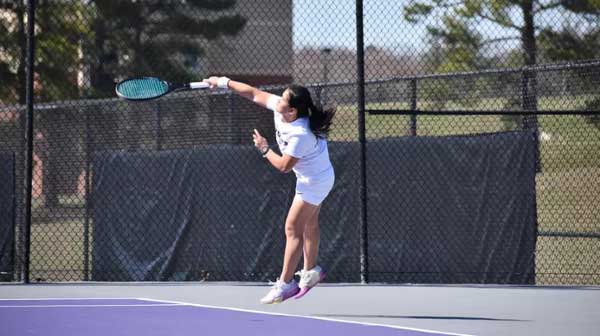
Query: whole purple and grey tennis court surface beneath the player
{"type": "Point", "coordinates": [233, 309]}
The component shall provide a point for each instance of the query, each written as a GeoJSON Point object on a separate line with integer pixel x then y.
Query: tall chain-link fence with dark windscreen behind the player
{"type": "Point", "coordinates": [474, 159]}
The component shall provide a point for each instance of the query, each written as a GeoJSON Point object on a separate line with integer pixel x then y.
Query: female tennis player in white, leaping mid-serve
{"type": "Point", "coordinates": [301, 131]}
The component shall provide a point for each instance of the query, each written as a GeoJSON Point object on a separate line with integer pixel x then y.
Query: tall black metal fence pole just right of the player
{"type": "Point", "coordinates": [360, 90]}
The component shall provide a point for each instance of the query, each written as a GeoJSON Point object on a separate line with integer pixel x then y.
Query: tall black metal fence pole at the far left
{"type": "Point", "coordinates": [29, 130]}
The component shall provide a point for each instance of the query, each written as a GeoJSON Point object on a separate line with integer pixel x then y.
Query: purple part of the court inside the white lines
{"type": "Point", "coordinates": [102, 317]}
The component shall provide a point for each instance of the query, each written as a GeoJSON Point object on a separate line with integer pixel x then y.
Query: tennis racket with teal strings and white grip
{"type": "Point", "coordinates": [145, 88]}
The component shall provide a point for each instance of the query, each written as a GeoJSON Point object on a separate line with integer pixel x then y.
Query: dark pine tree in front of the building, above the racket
{"type": "Point", "coordinates": [159, 38]}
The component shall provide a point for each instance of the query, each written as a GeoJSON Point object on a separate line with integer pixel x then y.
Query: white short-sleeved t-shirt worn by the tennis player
{"type": "Point", "coordinates": [296, 139]}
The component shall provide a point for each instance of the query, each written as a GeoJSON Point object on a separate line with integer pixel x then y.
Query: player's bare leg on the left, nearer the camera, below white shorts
{"type": "Point", "coordinates": [298, 216]}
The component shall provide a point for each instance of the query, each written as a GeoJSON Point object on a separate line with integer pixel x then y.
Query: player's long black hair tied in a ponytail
{"type": "Point", "coordinates": [320, 119]}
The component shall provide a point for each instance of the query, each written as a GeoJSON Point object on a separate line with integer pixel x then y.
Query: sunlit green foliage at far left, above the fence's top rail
{"type": "Point", "coordinates": [58, 31]}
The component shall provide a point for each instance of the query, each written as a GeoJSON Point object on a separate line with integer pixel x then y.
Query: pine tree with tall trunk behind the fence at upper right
{"type": "Point", "coordinates": [461, 18]}
